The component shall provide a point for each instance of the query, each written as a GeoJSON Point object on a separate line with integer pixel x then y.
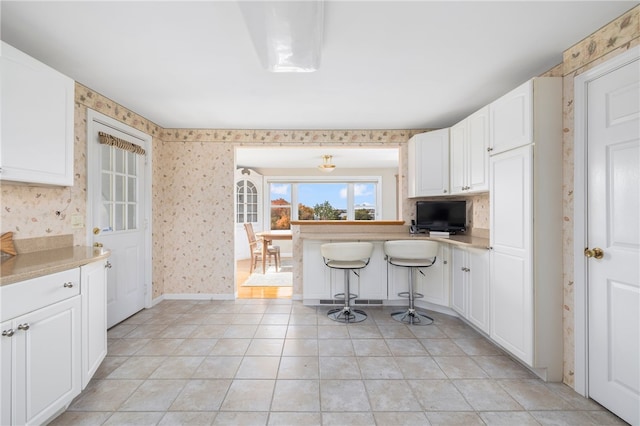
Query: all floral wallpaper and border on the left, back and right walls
{"type": "Point", "coordinates": [192, 198]}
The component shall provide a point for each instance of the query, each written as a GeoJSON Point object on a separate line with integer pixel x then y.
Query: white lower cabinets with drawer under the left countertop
{"type": "Point", "coordinates": [53, 340]}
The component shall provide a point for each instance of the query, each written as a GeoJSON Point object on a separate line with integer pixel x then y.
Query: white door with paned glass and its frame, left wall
{"type": "Point", "coordinates": [118, 204]}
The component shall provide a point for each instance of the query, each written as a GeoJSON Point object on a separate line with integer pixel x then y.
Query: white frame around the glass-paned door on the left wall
{"type": "Point", "coordinates": [94, 116]}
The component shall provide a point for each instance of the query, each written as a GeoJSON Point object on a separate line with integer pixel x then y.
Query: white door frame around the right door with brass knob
{"type": "Point", "coordinates": [581, 297]}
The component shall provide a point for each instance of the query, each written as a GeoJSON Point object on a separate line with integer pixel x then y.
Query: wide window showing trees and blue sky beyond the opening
{"type": "Point", "coordinates": [315, 200]}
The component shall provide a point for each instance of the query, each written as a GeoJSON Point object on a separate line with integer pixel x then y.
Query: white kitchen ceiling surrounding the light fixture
{"type": "Point", "coordinates": [385, 64]}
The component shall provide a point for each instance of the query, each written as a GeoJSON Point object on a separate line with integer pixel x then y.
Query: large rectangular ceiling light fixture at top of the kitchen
{"type": "Point", "coordinates": [287, 35]}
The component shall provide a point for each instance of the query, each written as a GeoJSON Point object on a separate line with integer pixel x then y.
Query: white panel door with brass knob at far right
{"type": "Point", "coordinates": [613, 150]}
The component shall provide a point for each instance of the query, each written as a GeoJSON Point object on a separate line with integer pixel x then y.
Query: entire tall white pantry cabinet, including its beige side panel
{"type": "Point", "coordinates": [526, 224]}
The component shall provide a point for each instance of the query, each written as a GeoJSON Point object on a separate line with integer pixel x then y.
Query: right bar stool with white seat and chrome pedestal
{"type": "Point", "coordinates": [412, 254]}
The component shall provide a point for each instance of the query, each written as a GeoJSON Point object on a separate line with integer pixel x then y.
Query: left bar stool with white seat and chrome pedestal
{"type": "Point", "coordinates": [349, 257]}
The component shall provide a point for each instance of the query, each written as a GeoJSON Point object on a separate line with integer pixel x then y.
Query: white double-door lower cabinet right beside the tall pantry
{"type": "Point", "coordinates": [470, 285]}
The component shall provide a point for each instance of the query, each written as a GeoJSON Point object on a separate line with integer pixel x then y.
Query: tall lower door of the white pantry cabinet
{"type": "Point", "coordinates": [511, 255]}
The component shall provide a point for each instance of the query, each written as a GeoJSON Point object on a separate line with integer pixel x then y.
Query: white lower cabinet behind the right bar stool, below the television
{"type": "Point", "coordinates": [432, 282]}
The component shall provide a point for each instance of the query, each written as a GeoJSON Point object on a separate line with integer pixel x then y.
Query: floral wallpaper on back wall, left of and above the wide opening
{"type": "Point", "coordinates": [196, 177]}
